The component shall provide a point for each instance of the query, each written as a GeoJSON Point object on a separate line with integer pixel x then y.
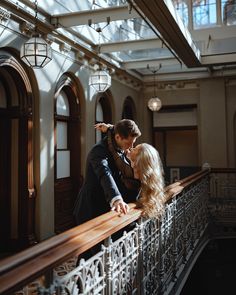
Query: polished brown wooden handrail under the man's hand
{"type": "Point", "coordinates": [20, 269]}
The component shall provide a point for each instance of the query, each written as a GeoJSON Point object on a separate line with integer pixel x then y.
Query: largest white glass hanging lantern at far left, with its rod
{"type": "Point", "coordinates": [36, 52]}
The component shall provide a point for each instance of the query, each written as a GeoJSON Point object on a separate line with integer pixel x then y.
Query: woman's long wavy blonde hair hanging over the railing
{"type": "Point", "coordinates": [149, 168]}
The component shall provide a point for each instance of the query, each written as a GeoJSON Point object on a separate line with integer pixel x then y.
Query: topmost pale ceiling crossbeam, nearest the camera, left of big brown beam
{"type": "Point", "coordinates": [94, 16]}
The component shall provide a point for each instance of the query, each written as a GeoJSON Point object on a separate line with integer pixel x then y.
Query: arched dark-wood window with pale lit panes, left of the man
{"type": "Point", "coordinates": [67, 150]}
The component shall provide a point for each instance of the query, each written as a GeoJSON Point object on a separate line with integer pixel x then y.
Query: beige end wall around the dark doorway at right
{"type": "Point", "coordinates": [216, 109]}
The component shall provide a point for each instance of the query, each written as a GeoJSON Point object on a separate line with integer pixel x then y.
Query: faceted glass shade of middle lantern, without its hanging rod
{"type": "Point", "coordinates": [100, 80]}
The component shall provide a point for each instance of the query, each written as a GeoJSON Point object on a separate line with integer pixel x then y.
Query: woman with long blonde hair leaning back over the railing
{"type": "Point", "coordinates": [147, 168]}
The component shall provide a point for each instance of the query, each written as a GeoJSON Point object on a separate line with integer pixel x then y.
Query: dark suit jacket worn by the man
{"type": "Point", "coordinates": [101, 184]}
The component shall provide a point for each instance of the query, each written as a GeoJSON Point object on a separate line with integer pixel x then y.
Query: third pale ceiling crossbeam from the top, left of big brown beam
{"type": "Point", "coordinates": [141, 64]}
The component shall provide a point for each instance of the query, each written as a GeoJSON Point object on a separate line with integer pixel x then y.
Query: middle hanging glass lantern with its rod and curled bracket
{"type": "Point", "coordinates": [100, 80]}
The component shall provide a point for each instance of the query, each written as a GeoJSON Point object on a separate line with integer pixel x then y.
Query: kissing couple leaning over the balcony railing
{"type": "Point", "coordinates": [118, 173]}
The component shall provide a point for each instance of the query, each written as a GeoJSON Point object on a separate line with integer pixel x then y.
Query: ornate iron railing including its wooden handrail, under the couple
{"type": "Point", "coordinates": [152, 258]}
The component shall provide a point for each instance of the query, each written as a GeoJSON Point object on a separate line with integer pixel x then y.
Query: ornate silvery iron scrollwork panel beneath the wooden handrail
{"type": "Point", "coordinates": [147, 259]}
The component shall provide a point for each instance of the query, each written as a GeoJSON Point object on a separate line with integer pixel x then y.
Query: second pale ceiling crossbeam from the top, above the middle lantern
{"type": "Point", "coordinates": [131, 45]}
